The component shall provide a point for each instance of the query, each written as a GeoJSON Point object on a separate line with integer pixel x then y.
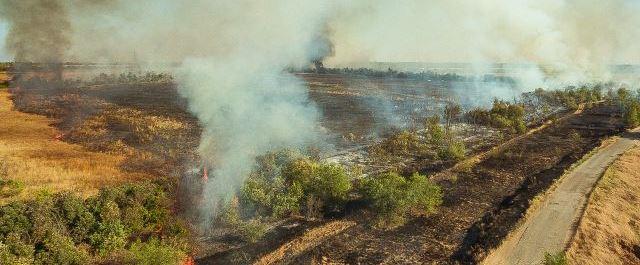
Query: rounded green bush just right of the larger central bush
{"type": "Point", "coordinates": [392, 197]}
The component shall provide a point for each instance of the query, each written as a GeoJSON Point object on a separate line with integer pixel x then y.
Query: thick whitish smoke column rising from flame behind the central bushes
{"type": "Point", "coordinates": [246, 101]}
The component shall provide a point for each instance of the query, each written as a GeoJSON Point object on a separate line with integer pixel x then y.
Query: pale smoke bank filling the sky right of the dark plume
{"type": "Point", "coordinates": [572, 40]}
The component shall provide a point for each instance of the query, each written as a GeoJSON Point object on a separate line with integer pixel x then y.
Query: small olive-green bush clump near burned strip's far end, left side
{"type": "Point", "coordinates": [502, 115]}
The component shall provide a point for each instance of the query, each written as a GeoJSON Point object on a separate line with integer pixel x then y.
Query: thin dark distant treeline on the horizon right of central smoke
{"type": "Point", "coordinates": [423, 75]}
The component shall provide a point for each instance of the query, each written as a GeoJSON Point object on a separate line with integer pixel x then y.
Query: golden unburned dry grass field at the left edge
{"type": "Point", "coordinates": [34, 157]}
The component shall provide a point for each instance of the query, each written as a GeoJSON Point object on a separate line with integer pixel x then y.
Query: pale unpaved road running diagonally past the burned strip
{"type": "Point", "coordinates": [551, 226]}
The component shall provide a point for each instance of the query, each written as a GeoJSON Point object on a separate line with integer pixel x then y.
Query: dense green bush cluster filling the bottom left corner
{"type": "Point", "coordinates": [119, 223]}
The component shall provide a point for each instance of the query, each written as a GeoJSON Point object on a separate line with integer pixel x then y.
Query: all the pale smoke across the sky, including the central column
{"type": "Point", "coordinates": [233, 55]}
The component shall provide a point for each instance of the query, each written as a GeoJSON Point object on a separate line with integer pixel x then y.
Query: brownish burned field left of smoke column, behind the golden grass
{"type": "Point", "coordinates": [142, 118]}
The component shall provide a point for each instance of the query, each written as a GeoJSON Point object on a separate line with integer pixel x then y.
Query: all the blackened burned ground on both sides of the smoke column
{"type": "Point", "coordinates": [145, 118]}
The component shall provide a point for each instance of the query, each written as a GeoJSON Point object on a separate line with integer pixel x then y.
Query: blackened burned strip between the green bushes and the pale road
{"type": "Point", "coordinates": [482, 202]}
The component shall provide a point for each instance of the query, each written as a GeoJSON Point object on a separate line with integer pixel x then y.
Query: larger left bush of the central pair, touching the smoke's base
{"type": "Point", "coordinates": [285, 184]}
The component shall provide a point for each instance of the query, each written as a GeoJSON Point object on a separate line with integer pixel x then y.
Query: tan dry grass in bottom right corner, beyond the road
{"type": "Point", "coordinates": [609, 232]}
